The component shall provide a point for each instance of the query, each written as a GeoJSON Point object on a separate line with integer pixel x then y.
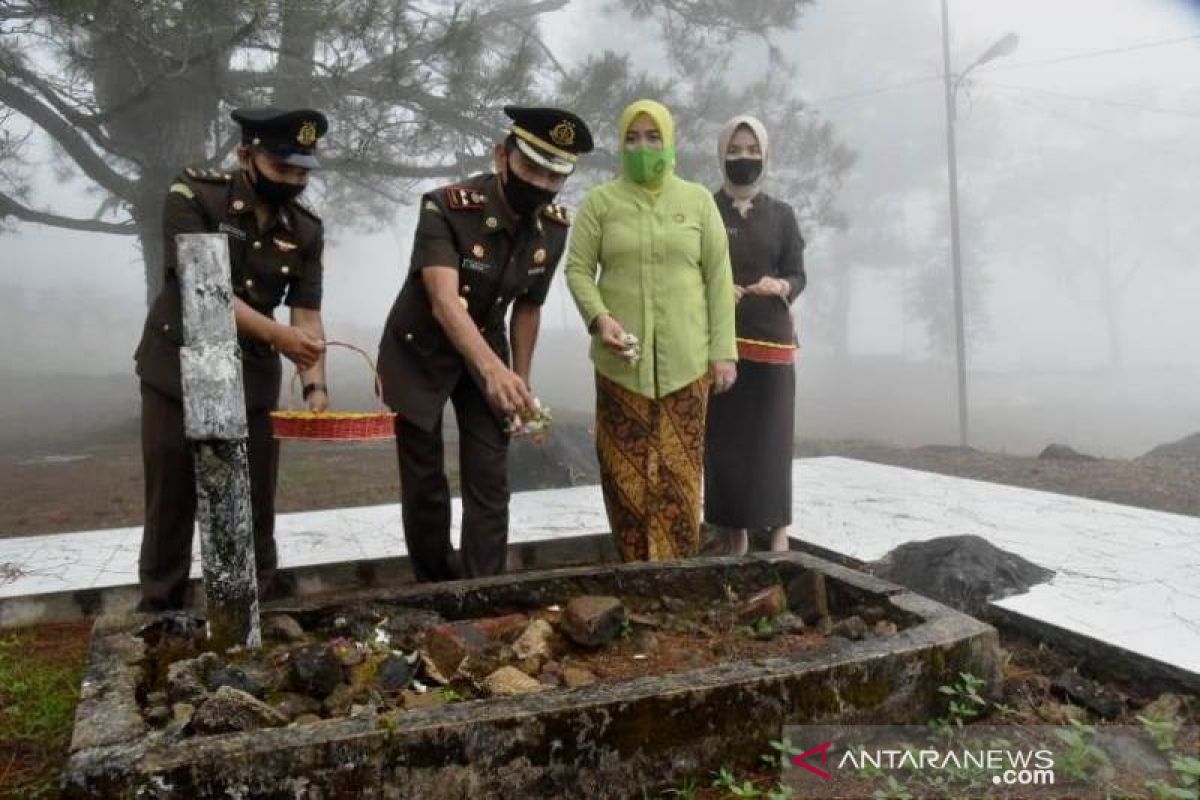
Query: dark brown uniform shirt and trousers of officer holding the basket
{"type": "Point", "coordinates": [268, 267]}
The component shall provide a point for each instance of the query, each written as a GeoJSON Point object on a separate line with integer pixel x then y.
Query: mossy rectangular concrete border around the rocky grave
{"type": "Point", "coordinates": [608, 741]}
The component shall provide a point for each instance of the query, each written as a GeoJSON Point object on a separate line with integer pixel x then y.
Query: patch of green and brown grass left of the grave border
{"type": "Point", "coordinates": [40, 673]}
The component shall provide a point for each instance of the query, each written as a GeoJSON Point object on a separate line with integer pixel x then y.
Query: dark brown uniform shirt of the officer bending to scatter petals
{"type": "Point", "coordinates": [500, 260]}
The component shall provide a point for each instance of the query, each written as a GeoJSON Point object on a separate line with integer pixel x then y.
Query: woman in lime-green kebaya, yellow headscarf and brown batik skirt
{"type": "Point", "coordinates": [650, 270]}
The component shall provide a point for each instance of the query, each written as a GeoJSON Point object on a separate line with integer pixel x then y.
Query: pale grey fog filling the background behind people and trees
{"type": "Point", "coordinates": [1078, 169]}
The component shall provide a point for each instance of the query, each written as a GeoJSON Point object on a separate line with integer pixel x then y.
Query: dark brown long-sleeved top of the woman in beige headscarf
{"type": "Point", "coordinates": [765, 243]}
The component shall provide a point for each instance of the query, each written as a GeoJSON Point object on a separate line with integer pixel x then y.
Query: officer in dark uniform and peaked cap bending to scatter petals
{"type": "Point", "coordinates": [483, 245]}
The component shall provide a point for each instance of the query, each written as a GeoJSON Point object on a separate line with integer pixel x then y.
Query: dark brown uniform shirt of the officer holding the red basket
{"type": "Point", "coordinates": [280, 264]}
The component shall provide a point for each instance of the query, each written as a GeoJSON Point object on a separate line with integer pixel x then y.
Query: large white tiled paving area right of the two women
{"type": "Point", "coordinates": [1126, 576]}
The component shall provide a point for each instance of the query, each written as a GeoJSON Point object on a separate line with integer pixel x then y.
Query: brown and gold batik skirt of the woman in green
{"type": "Point", "coordinates": [651, 455]}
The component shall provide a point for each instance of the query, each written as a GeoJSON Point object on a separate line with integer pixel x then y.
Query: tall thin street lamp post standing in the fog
{"type": "Point", "coordinates": [1003, 47]}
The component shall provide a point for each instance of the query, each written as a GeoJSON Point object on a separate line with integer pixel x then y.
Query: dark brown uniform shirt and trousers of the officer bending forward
{"type": "Point", "coordinates": [500, 261]}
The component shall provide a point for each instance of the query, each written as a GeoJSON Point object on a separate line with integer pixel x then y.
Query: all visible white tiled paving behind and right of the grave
{"type": "Point", "coordinates": [1125, 575]}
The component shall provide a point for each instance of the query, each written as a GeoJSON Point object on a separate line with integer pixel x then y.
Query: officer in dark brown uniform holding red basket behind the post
{"type": "Point", "coordinates": [275, 254]}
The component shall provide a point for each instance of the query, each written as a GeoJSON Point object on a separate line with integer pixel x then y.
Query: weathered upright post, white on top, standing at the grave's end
{"type": "Point", "coordinates": [215, 425]}
